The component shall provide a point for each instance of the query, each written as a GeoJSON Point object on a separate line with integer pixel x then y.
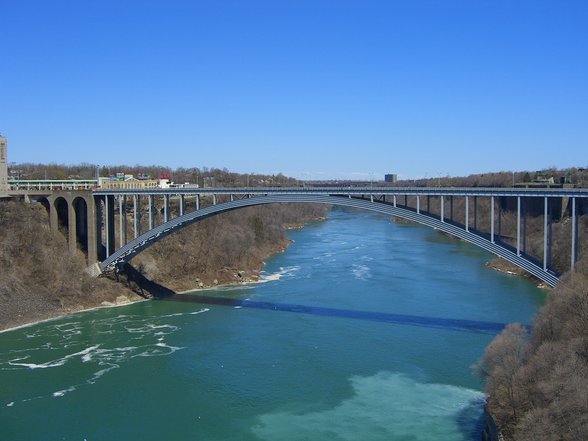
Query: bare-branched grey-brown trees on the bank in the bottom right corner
{"type": "Point", "coordinates": [537, 380]}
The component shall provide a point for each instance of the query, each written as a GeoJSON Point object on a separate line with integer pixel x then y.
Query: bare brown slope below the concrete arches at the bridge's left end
{"type": "Point", "coordinates": [39, 277]}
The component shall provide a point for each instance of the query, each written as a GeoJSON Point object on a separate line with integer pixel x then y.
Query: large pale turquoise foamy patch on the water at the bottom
{"type": "Point", "coordinates": [384, 407]}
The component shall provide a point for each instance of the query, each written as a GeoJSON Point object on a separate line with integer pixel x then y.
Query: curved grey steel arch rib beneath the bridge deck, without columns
{"type": "Point", "coordinates": [127, 252]}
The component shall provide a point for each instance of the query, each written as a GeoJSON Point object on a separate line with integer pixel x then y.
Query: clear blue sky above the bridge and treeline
{"type": "Point", "coordinates": [313, 89]}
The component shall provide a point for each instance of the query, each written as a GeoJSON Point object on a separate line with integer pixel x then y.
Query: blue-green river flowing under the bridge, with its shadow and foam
{"type": "Point", "coordinates": [362, 330]}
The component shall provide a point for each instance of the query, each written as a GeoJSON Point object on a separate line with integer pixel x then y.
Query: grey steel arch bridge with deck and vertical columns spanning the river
{"type": "Point", "coordinates": [372, 199]}
